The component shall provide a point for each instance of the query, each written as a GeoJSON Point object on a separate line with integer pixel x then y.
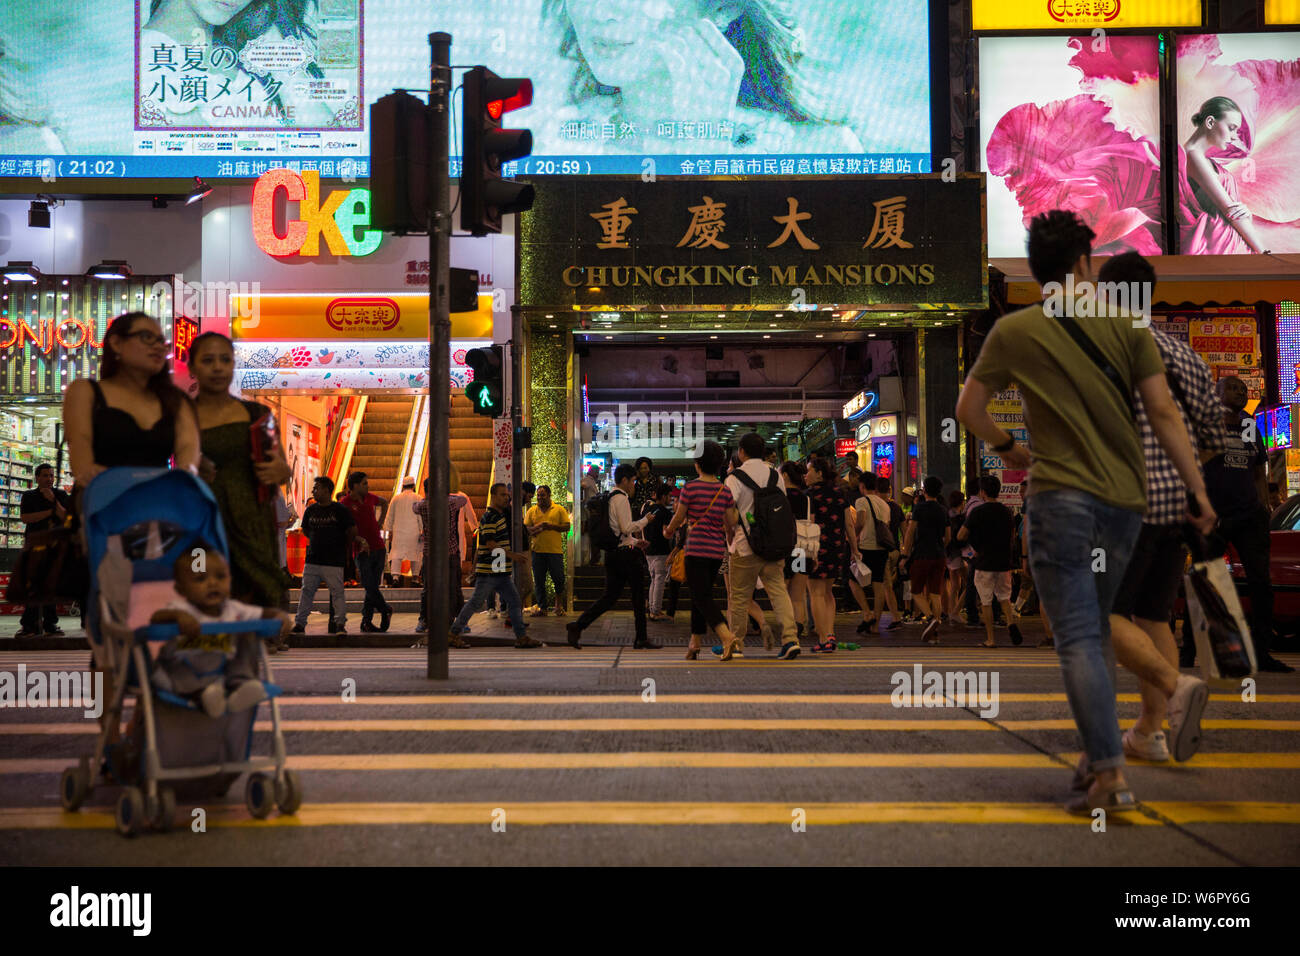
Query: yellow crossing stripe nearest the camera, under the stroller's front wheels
{"type": "Point", "coordinates": [678, 815]}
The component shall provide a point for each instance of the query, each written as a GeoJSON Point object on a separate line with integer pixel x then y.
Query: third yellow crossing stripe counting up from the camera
{"type": "Point", "coordinates": [618, 724]}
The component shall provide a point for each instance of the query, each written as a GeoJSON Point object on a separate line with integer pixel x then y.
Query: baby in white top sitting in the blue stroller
{"type": "Point", "coordinates": [209, 669]}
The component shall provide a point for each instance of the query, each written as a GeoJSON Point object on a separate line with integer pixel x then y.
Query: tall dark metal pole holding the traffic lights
{"type": "Point", "coordinates": [437, 563]}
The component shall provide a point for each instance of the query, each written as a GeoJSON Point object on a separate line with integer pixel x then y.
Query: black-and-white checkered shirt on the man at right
{"type": "Point", "coordinates": [1203, 416]}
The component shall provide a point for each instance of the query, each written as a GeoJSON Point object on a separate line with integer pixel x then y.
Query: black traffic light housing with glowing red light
{"type": "Point", "coordinates": [486, 197]}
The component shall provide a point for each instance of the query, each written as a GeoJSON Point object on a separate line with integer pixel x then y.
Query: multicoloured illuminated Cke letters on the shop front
{"type": "Point", "coordinates": [343, 219]}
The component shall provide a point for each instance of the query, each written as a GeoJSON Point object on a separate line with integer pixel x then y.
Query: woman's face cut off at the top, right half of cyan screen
{"type": "Point", "coordinates": [612, 33]}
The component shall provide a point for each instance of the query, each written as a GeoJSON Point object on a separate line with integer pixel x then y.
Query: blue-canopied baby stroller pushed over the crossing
{"type": "Point", "coordinates": [137, 522]}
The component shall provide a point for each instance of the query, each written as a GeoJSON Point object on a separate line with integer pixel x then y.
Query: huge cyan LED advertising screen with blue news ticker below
{"type": "Point", "coordinates": [235, 88]}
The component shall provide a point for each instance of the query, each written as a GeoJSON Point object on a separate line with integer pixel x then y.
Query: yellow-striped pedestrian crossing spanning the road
{"type": "Point", "coordinates": [718, 751]}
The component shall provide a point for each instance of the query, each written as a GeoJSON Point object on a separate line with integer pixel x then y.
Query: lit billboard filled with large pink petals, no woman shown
{"type": "Point", "coordinates": [1072, 123]}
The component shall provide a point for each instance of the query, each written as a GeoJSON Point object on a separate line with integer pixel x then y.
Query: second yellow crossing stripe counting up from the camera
{"type": "Point", "coordinates": [696, 760]}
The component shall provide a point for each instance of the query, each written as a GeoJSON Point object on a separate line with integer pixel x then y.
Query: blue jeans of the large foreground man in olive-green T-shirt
{"type": "Point", "coordinates": [1067, 529]}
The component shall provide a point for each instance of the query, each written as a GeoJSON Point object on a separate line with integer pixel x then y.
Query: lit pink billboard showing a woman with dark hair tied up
{"type": "Point", "coordinates": [1238, 126]}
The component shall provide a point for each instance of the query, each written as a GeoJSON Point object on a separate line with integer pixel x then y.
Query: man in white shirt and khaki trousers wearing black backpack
{"type": "Point", "coordinates": [764, 525]}
